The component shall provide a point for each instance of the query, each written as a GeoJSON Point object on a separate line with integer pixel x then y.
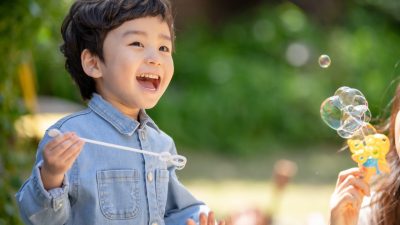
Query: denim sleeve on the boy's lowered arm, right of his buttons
{"type": "Point", "coordinates": [181, 205]}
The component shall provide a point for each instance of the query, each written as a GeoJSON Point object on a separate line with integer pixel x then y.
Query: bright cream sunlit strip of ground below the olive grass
{"type": "Point", "coordinates": [299, 203]}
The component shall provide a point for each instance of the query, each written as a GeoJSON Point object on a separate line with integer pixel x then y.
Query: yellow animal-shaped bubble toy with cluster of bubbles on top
{"type": "Point", "coordinates": [347, 112]}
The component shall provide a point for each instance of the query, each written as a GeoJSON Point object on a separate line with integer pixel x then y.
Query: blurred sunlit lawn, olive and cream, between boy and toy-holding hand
{"type": "Point", "coordinates": [233, 184]}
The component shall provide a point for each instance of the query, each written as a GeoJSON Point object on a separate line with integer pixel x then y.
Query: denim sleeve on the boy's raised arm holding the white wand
{"type": "Point", "coordinates": [39, 206]}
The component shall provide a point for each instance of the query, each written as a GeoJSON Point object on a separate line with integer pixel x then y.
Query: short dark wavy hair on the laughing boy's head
{"type": "Point", "coordinates": [87, 24]}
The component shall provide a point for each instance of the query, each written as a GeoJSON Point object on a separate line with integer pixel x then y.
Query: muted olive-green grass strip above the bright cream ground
{"type": "Point", "coordinates": [318, 165]}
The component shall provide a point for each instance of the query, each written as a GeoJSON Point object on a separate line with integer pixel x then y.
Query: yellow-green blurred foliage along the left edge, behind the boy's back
{"type": "Point", "coordinates": [20, 25]}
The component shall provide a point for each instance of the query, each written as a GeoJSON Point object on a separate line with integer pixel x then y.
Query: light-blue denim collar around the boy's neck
{"type": "Point", "coordinates": [121, 122]}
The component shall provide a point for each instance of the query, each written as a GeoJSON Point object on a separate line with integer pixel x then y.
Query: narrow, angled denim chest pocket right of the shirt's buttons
{"type": "Point", "coordinates": [162, 179]}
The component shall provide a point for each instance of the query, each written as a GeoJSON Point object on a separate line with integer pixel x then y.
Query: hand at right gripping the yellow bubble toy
{"type": "Point", "coordinates": [347, 198]}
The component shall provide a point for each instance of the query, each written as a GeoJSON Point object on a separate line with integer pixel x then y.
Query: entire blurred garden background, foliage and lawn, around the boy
{"type": "Point", "coordinates": [243, 105]}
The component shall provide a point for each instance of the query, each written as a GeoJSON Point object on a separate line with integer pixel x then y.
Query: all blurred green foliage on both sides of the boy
{"type": "Point", "coordinates": [252, 84]}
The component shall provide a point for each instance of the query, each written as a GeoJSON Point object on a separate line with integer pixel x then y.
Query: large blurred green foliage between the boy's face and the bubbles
{"type": "Point", "coordinates": [254, 84]}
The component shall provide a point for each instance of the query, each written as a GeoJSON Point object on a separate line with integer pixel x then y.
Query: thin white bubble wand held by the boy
{"type": "Point", "coordinates": [178, 161]}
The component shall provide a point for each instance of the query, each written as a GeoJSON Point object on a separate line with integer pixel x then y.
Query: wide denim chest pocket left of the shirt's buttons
{"type": "Point", "coordinates": [118, 193]}
